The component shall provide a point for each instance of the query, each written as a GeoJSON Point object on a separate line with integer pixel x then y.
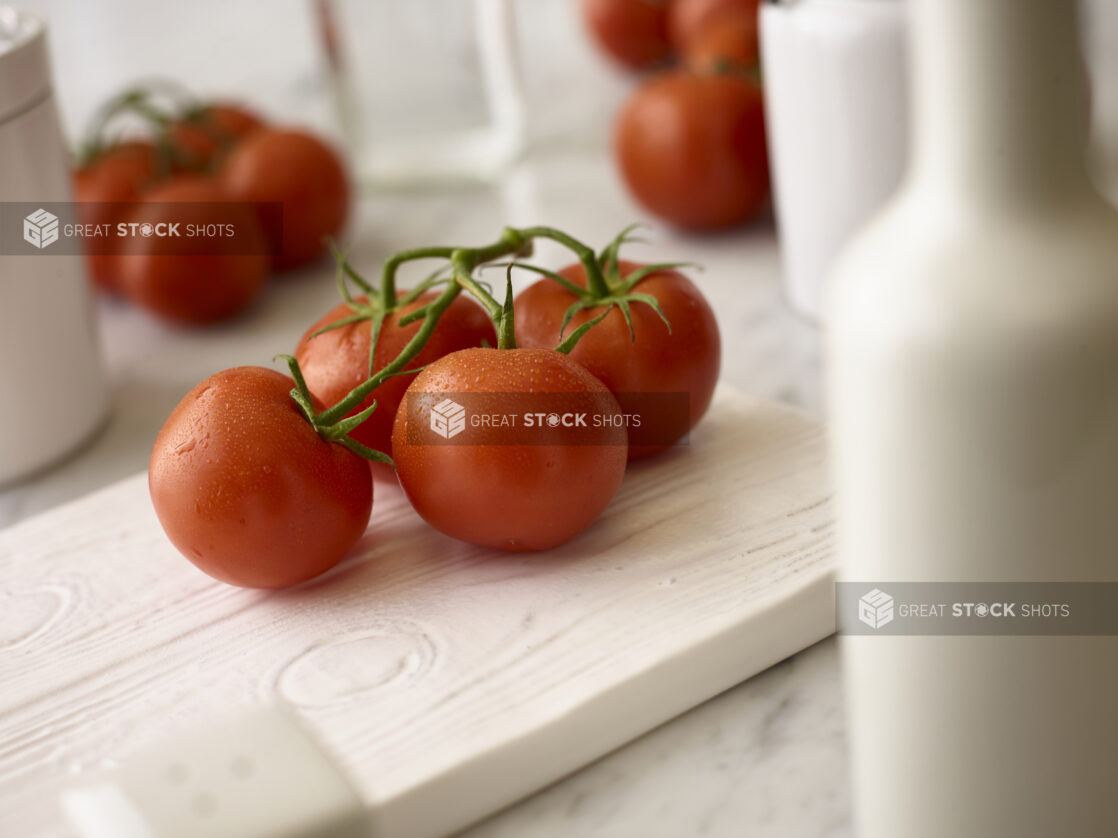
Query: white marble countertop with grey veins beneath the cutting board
{"type": "Point", "coordinates": [765, 759]}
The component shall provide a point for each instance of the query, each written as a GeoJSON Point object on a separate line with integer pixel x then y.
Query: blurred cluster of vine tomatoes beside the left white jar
{"type": "Point", "coordinates": [190, 220]}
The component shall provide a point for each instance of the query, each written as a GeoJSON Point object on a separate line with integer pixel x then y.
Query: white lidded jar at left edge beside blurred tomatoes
{"type": "Point", "coordinates": [53, 385]}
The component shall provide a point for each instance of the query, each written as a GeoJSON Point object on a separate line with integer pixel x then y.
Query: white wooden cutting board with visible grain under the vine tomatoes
{"type": "Point", "coordinates": [449, 681]}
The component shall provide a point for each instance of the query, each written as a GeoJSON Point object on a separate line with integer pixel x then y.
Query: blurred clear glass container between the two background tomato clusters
{"type": "Point", "coordinates": [428, 91]}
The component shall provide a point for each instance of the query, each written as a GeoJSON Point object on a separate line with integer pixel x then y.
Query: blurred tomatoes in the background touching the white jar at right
{"type": "Point", "coordinates": [690, 141]}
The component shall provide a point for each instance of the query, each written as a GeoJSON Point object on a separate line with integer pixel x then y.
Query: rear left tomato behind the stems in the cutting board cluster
{"type": "Point", "coordinates": [337, 361]}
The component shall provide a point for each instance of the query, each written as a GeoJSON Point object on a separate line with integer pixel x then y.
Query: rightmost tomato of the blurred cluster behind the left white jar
{"type": "Point", "coordinates": [301, 175]}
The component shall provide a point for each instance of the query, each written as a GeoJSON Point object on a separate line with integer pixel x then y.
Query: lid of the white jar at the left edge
{"type": "Point", "coordinates": [25, 75]}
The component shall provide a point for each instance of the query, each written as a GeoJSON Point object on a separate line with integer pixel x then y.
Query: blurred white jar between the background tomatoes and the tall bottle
{"type": "Point", "coordinates": [838, 127]}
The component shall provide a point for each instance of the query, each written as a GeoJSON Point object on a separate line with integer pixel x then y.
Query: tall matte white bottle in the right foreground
{"type": "Point", "coordinates": [973, 378]}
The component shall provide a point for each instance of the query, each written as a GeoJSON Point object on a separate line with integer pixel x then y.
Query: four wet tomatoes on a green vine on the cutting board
{"type": "Point", "coordinates": [264, 480]}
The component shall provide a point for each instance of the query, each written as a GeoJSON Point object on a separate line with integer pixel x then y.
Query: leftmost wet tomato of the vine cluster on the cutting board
{"type": "Point", "coordinates": [248, 491]}
